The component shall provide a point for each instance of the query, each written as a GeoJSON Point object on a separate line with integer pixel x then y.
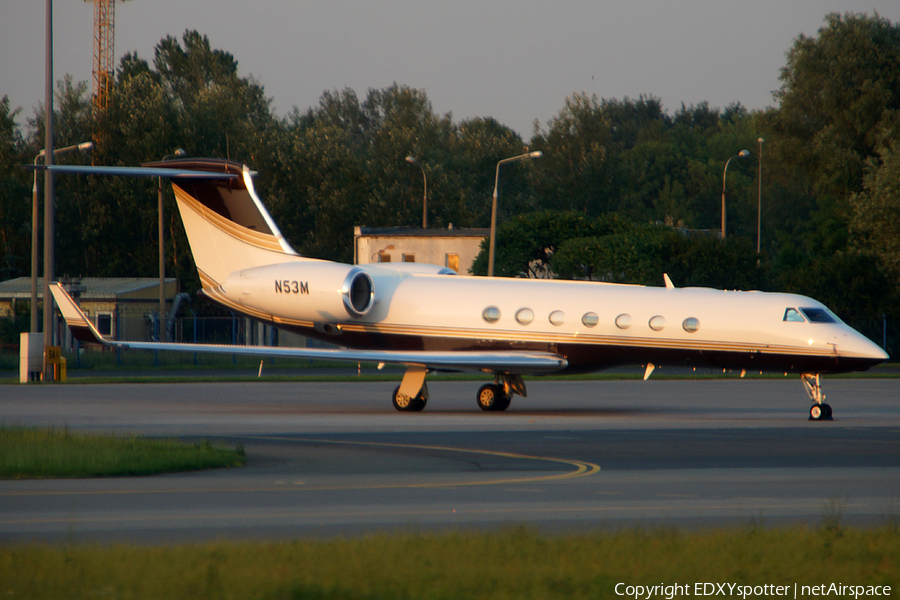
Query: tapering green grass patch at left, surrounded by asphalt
{"type": "Point", "coordinates": [50, 452]}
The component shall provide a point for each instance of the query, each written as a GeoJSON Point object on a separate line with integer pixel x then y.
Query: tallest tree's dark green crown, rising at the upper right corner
{"type": "Point", "coordinates": [838, 90]}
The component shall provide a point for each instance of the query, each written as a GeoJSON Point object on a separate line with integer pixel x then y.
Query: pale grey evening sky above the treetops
{"type": "Point", "coordinates": [514, 61]}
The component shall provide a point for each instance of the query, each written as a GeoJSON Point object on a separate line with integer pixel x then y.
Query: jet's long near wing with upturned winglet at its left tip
{"type": "Point", "coordinates": [488, 361]}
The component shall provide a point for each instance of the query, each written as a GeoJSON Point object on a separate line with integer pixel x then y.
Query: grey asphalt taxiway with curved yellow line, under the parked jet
{"type": "Point", "coordinates": [336, 459]}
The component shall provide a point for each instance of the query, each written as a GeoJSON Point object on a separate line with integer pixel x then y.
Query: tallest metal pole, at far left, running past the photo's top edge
{"type": "Point", "coordinates": [48, 186]}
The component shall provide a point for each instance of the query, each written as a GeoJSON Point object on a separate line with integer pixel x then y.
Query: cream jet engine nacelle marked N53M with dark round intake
{"type": "Point", "coordinates": [308, 290]}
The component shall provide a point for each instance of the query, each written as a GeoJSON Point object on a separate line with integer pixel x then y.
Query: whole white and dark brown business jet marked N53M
{"type": "Point", "coordinates": [430, 319]}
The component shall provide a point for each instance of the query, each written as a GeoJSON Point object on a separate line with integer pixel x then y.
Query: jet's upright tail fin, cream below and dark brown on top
{"type": "Point", "coordinates": [228, 227]}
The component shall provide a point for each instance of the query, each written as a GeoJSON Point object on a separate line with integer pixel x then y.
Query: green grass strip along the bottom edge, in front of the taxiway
{"type": "Point", "coordinates": [510, 564]}
